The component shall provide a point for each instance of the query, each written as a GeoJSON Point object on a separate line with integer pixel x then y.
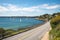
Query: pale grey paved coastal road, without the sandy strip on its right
{"type": "Point", "coordinates": [34, 34]}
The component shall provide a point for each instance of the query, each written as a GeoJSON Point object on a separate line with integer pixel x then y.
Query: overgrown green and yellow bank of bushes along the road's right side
{"type": "Point", "coordinates": [55, 32]}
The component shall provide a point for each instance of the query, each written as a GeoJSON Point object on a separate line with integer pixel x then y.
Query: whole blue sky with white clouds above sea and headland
{"type": "Point", "coordinates": [28, 7]}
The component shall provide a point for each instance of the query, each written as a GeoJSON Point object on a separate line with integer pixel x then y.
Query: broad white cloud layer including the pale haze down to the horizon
{"type": "Point", "coordinates": [10, 9]}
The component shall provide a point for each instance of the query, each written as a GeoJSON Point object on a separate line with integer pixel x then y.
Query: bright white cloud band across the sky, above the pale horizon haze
{"type": "Point", "coordinates": [38, 8]}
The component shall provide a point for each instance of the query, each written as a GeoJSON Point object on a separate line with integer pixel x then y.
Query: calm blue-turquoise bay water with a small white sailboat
{"type": "Point", "coordinates": [16, 22]}
